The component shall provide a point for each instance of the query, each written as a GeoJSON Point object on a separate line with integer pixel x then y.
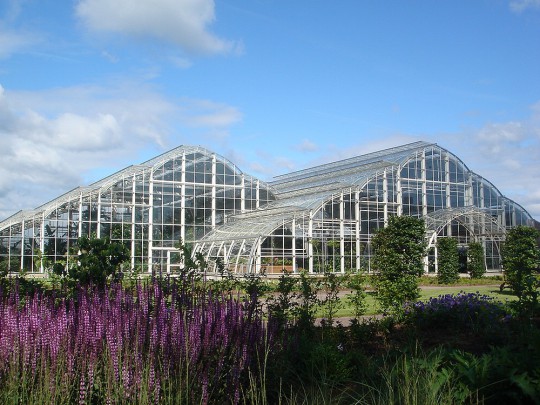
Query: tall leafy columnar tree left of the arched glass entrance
{"type": "Point", "coordinates": [399, 250]}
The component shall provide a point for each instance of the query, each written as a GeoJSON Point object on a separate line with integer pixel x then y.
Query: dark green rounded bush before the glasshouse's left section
{"type": "Point", "coordinates": [97, 260]}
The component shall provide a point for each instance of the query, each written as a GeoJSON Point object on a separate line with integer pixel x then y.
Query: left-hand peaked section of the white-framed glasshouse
{"type": "Point", "coordinates": [181, 195]}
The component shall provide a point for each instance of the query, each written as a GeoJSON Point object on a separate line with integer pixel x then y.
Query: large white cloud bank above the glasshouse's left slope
{"type": "Point", "coordinates": [52, 141]}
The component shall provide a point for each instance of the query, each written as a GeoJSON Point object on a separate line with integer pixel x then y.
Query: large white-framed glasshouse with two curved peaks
{"type": "Point", "coordinates": [316, 219]}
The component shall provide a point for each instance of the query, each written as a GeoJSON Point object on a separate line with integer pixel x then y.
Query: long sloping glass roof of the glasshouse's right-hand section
{"type": "Point", "coordinates": [299, 192]}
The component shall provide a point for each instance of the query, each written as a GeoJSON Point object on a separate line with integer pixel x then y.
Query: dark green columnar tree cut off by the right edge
{"type": "Point", "coordinates": [521, 258]}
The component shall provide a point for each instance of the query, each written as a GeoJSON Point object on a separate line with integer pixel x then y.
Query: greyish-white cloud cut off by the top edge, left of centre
{"type": "Point", "coordinates": [181, 22]}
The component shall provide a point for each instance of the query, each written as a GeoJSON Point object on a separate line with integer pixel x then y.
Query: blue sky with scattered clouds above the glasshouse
{"type": "Point", "coordinates": [89, 87]}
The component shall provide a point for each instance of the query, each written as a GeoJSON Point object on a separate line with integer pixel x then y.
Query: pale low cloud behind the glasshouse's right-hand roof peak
{"type": "Point", "coordinates": [505, 153]}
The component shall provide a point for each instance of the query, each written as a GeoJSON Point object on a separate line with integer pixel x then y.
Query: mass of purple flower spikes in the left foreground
{"type": "Point", "coordinates": [143, 329]}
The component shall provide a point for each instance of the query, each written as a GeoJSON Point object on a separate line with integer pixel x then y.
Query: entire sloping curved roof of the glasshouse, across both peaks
{"type": "Point", "coordinates": [296, 193]}
